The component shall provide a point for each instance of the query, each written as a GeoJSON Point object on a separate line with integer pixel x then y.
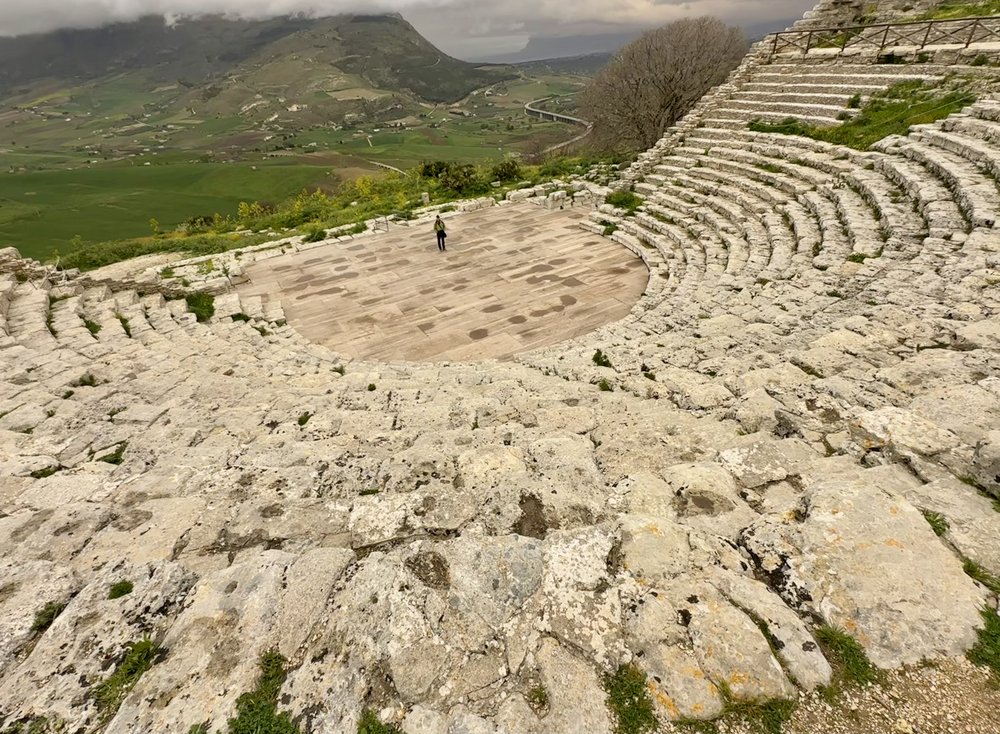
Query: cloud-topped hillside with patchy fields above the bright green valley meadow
{"type": "Point", "coordinates": [218, 84]}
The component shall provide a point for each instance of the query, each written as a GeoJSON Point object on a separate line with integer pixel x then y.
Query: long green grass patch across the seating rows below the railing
{"type": "Point", "coordinates": [891, 112]}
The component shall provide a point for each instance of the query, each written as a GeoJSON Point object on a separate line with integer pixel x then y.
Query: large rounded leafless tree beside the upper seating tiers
{"type": "Point", "coordinates": [656, 79]}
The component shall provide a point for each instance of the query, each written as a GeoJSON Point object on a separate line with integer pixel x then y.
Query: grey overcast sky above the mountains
{"type": "Point", "coordinates": [460, 27]}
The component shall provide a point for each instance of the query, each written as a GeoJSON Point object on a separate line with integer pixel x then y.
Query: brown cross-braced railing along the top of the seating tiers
{"type": "Point", "coordinates": [962, 32]}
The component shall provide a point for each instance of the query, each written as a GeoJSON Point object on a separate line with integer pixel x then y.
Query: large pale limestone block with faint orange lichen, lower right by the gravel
{"type": "Point", "coordinates": [919, 604]}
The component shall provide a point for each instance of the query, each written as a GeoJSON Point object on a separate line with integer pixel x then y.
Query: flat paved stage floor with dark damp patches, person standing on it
{"type": "Point", "coordinates": [513, 278]}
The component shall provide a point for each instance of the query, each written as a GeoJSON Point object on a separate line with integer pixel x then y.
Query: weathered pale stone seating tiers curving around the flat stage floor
{"type": "Point", "coordinates": [811, 372]}
